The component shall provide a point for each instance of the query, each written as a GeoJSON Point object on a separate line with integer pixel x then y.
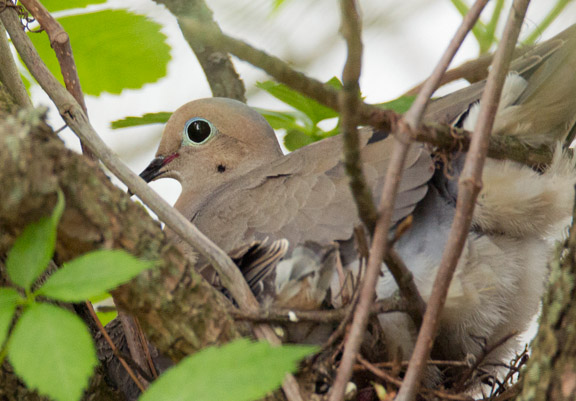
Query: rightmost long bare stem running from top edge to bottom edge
{"type": "Point", "coordinates": [468, 188]}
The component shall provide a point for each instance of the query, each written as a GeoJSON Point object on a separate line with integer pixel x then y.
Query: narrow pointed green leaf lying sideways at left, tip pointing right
{"type": "Point", "coordinates": [92, 274]}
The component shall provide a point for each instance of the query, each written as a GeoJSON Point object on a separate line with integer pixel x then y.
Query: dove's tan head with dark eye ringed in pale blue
{"type": "Point", "coordinates": [210, 141]}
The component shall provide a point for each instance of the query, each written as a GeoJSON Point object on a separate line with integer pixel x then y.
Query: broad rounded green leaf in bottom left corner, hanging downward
{"type": "Point", "coordinates": [52, 351]}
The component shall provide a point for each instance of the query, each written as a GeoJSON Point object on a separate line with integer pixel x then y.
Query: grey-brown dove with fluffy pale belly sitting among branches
{"type": "Point", "coordinates": [238, 187]}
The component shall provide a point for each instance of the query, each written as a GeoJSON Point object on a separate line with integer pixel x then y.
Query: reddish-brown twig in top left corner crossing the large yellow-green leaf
{"type": "Point", "coordinates": [60, 42]}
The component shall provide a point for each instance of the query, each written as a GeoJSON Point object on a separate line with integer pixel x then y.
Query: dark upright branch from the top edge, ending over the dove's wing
{"type": "Point", "coordinates": [351, 30]}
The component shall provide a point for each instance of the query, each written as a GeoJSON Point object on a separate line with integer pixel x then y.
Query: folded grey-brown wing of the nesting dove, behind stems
{"type": "Point", "coordinates": [305, 195]}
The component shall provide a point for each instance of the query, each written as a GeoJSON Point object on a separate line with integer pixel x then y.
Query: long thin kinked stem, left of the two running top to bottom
{"type": "Point", "coordinates": [380, 246]}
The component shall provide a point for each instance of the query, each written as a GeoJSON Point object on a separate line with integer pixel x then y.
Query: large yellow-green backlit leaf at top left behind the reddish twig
{"type": "Point", "coordinates": [113, 49]}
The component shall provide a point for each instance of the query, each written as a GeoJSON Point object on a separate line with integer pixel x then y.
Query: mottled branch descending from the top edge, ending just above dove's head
{"type": "Point", "coordinates": [223, 79]}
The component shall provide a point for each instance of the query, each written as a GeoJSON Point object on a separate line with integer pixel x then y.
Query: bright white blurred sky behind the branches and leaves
{"type": "Point", "coordinates": [402, 42]}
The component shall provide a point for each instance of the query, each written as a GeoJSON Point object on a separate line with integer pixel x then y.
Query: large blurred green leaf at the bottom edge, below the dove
{"type": "Point", "coordinates": [239, 371]}
